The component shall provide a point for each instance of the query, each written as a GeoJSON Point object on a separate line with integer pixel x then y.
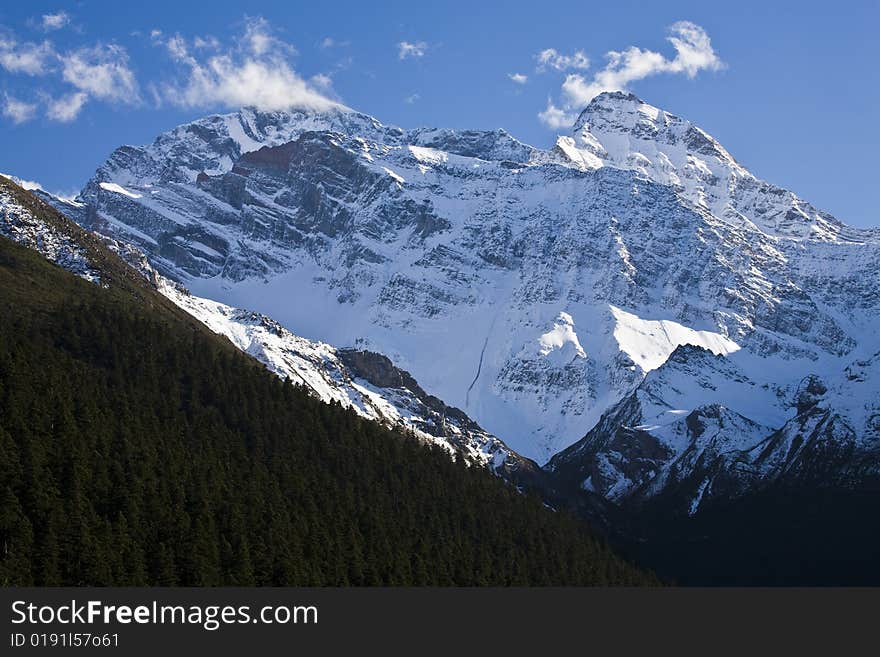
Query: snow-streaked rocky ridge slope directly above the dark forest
{"type": "Point", "coordinates": [364, 381]}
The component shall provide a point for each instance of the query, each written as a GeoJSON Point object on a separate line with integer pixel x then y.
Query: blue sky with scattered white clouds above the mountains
{"type": "Point", "coordinates": [791, 89]}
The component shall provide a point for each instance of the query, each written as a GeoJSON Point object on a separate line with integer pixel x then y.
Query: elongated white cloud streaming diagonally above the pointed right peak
{"type": "Point", "coordinates": [693, 53]}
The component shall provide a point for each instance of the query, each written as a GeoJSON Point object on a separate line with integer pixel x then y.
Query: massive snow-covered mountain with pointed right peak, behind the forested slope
{"type": "Point", "coordinates": [544, 292]}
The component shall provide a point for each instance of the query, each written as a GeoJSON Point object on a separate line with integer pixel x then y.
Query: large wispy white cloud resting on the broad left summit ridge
{"type": "Point", "coordinates": [255, 72]}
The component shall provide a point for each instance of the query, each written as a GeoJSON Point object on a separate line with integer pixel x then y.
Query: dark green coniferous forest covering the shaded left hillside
{"type": "Point", "coordinates": [137, 448]}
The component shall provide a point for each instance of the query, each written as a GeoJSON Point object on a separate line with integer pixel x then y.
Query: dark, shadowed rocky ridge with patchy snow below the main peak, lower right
{"type": "Point", "coordinates": [655, 442]}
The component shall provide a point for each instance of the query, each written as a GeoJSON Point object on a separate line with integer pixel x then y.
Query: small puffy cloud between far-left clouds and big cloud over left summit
{"type": "Point", "coordinates": [101, 72]}
